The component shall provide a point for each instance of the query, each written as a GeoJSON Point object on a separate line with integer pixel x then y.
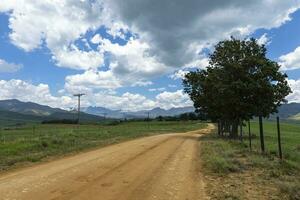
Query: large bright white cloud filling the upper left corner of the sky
{"type": "Point", "coordinates": [57, 24]}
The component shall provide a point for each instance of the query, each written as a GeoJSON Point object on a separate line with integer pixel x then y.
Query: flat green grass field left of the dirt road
{"type": "Point", "coordinates": [32, 143]}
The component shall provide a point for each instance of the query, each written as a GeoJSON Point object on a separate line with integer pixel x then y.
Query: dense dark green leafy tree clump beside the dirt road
{"type": "Point", "coordinates": [239, 84]}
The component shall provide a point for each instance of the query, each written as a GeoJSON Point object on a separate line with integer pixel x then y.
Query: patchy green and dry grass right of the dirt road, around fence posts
{"type": "Point", "coordinates": [233, 172]}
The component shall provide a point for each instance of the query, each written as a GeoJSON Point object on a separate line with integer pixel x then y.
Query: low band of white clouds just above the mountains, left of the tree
{"type": "Point", "coordinates": [40, 93]}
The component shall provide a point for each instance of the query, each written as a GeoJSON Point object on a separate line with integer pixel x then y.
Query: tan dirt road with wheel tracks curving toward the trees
{"type": "Point", "coordinates": [158, 167]}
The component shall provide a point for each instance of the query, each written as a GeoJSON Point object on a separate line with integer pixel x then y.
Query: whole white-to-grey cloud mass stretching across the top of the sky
{"type": "Point", "coordinates": [165, 40]}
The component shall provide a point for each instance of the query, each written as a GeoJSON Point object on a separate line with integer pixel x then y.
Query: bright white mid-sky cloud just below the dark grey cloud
{"type": "Point", "coordinates": [130, 66]}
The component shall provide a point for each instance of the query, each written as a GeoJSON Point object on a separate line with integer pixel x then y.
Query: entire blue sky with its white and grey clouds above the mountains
{"type": "Point", "coordinates": [123, 59]}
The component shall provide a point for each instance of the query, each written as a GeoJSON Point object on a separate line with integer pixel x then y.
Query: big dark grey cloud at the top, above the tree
{"type": "Point", "coordinates": [177, 38]}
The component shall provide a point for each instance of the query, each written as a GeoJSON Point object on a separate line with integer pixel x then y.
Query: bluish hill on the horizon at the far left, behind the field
{"type": "Point", "coordinates": [30, 108]}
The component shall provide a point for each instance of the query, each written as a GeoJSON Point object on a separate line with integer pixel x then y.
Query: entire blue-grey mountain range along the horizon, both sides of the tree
{"type": "Point", "coordinates": [14, 111]}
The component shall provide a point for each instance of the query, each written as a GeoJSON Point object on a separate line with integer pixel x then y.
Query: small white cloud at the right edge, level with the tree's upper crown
{"type": "Point", "coordinates": [291, 60]}
